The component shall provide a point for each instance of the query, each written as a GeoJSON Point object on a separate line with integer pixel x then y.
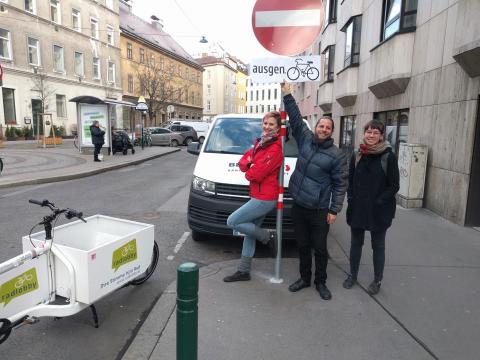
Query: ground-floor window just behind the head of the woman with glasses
{"type": "Point", "coordinates": [396, 126]}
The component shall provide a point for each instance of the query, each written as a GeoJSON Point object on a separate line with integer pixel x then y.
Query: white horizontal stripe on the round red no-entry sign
{"type": "Point", "coordinates": [288, 18]}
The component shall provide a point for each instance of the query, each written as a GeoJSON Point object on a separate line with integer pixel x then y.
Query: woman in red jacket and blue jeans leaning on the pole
{"type": "Point", "coordinates": [260, 165]}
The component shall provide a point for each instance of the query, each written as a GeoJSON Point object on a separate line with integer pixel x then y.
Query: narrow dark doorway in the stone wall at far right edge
{"type": "Point", "coordinates": [472, 216]}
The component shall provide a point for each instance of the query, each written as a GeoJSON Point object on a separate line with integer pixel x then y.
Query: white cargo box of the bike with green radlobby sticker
{"type": "Point", "coordinates": [105, 253]}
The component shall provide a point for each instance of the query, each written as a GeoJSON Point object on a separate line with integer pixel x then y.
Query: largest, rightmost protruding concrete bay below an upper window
{"type": "Point", "coordinates": [391, 65]}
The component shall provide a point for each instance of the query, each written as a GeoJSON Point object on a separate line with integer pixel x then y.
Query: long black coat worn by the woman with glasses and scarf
{"type": "Point", "coordinates": [371, 192]}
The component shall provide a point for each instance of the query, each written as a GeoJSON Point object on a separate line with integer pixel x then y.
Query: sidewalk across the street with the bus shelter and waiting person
{"type": "Point", "coordinates": [25, 163]}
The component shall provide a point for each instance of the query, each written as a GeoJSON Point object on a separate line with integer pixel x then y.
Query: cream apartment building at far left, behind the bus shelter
{"type": "Point", "coordinates": [52, 51]}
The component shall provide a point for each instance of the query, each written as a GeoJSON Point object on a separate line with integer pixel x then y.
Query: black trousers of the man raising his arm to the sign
{"type": "Point", "coordinates": [311, 230]}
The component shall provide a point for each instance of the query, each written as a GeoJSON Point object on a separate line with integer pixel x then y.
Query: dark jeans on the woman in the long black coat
{"type": "Point", "coordinates": [378, 247]}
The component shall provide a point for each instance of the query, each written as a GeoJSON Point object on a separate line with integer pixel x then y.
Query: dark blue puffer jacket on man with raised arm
{"type": "Point", "coordinates": [320, 177]}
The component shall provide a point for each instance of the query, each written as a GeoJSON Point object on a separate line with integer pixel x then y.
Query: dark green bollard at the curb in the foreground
{"type": "Point", "coordinates": [187, 311]}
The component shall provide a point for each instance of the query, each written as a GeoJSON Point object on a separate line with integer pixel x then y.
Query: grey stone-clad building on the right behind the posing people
{"type": "Point", "coordinates": [414, 65]}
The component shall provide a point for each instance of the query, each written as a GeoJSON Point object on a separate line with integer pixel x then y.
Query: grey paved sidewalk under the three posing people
{"type": "Point", "coordinates": [428, 306]}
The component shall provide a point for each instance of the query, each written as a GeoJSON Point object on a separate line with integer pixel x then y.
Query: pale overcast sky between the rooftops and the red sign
{"type": "Point", "coordinates": [227, 22]}
